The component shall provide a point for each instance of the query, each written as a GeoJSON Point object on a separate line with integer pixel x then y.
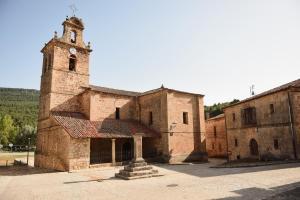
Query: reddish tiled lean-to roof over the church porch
{"type": "Point", "coordinates": [78, 126]}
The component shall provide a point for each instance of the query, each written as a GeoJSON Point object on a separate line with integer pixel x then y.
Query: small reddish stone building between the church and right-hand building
{"type": "Point", "coordinates": [215, 135]}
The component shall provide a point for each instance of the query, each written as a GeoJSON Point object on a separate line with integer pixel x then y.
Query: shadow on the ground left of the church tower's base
{"type": "Point", "coordinates": [20, 170]}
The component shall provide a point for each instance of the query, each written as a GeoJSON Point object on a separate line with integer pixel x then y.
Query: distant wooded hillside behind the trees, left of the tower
{"type": "Point", "coordinates": [20, 104]}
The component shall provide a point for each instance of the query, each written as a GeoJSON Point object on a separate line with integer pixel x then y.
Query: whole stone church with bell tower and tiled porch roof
{"type": "Point", "coordinates": [81, 125]}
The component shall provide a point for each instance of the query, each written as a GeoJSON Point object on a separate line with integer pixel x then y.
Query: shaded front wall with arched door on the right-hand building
{"type": "Point", "coordinates": [269, 127]}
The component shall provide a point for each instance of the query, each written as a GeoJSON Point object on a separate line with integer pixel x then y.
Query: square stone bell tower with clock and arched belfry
{"type": "Point", "coordinates": [65, 69]}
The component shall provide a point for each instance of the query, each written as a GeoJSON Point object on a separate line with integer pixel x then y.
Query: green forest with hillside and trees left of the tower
{"type": "Point", "coordinates": [18, 115]}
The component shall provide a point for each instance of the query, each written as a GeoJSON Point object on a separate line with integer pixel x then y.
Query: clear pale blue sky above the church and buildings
{"type": "Point", "coordinates": [218, 48]}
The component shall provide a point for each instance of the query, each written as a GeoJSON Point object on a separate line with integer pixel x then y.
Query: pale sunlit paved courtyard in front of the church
{"type": "Point", "coordinates": [195, 181]}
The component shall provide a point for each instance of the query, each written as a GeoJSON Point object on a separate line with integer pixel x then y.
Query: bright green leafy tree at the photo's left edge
{"type": "Point", "coordinates": [7, 130]}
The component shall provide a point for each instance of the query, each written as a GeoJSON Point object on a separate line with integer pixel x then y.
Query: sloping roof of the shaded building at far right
{"type": "Point", "coordinates": [286, 86]}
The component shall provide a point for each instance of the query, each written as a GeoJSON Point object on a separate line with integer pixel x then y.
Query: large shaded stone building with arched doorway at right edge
{"type": "Point", "coordinates": [265, 126]}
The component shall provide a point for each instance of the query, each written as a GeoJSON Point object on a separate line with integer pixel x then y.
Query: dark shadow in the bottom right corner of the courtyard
{"type": "Point", "coordinates": [288, 191]}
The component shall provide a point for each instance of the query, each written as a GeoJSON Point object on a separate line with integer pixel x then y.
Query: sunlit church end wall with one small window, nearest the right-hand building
{"type": "Point", "coordinates": [185, 139]}
